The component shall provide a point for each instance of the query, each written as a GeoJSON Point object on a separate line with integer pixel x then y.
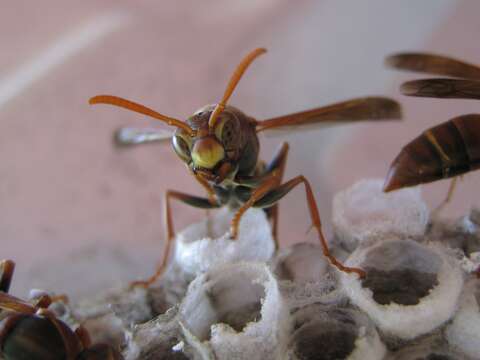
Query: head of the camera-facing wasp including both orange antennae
{"type": "Point", "coordinates": [216, 141]}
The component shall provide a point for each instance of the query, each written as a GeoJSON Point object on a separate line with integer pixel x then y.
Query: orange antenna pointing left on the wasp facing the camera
{"type": "Point", "coordinates": [130, 105]}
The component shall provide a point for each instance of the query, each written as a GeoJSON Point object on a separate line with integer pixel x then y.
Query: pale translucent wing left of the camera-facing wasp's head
{"type": "Point", "coordinates": [128, 136]}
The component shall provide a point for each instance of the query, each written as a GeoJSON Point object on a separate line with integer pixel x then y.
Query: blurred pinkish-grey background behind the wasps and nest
{"type": "Point", "coordinates": [77, 215]}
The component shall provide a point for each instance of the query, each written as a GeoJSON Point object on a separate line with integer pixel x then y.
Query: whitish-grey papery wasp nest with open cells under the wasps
{"type": "Point", "coordinates": [224, 299]}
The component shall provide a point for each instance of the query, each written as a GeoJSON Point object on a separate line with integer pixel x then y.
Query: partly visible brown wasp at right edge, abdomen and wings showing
{"type": "Point", "coordinates": [446, 150]}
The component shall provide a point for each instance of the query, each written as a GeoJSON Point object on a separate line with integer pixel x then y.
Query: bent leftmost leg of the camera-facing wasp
{"type": "Point", "coordinates": [191, 200]}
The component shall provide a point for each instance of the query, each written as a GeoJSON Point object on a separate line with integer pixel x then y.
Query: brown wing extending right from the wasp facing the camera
{"type": "Point", "coordinates": [367, 108]}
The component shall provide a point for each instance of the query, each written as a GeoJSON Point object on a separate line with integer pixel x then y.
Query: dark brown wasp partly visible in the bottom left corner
{"type": "Point", "coordinates": [31, 331]}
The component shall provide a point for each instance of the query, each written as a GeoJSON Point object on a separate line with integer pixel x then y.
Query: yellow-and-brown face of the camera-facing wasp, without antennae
{"type": "Point", "coordinates": [213, 154]}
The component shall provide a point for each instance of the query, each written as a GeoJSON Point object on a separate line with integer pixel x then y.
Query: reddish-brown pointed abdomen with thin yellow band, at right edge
{"type": "Point", "coordinates": [441, 152]}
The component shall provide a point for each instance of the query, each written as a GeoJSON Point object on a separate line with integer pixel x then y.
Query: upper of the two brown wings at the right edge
{"type": "Point", "coordinates": [434, 64]}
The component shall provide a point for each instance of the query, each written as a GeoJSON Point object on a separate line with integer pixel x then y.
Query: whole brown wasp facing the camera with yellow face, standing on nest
{"type": "Point", "coordinates": [220, 147]}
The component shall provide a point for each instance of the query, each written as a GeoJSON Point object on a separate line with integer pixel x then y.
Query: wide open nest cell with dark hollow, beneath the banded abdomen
{"type": "Point", "coordinates": [388, 294]}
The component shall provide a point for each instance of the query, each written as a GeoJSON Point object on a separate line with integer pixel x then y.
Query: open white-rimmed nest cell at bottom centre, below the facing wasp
{"type": "Point", "coordinates": [235, 311]}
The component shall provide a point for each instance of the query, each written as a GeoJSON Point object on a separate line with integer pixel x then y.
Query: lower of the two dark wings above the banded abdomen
{"type": "Point", "coordinates": [442, 88]}
